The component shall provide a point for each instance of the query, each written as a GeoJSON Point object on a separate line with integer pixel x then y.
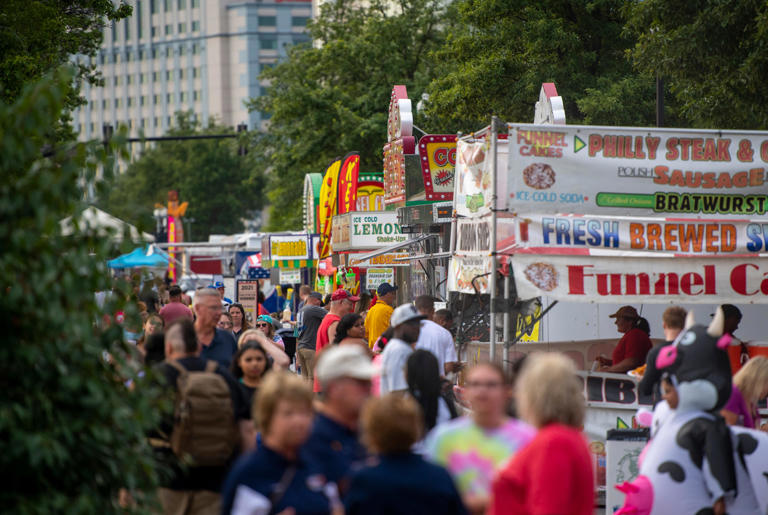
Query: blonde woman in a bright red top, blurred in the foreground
{"type": "Point", "coordinates": [553, 474]}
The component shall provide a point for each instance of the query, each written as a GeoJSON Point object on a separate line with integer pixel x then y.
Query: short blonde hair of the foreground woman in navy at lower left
{"type": "Point", "coordinates": [275, 387]}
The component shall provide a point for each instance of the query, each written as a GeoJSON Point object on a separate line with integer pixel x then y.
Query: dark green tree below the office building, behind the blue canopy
{"type": "Point", "coordinates": [209, 174]}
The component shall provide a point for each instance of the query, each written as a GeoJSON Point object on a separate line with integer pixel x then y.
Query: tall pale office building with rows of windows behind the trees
{"type": "Point", "coordinates": [203, 56]}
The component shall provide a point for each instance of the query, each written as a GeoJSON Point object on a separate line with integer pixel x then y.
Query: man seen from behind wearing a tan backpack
{"type": "Point", "coordinates": [203, 437]}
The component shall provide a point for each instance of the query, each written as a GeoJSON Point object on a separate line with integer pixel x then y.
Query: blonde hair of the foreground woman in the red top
{"type": "Point", "coordinates": [549, 391]}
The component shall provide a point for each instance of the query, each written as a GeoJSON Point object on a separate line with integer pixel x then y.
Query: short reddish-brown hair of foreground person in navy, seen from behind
{"type": "Point", "coordinates": [391, 424]}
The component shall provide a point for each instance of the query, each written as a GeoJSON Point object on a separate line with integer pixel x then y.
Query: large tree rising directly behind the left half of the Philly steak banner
{"type": "Point", "coordinates": [499, 52]}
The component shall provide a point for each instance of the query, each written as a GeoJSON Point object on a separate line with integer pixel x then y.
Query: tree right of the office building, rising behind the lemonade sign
{"type": "Point", "coordinates": [332, 98]}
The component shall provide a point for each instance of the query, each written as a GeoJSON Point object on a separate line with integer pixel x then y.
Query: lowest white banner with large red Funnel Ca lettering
{"type": "Point", "coordinates": [624, 280]}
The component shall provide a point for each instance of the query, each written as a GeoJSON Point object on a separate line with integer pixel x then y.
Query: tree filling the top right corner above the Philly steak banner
{"type": "Point", "coordinates": [712, 56]}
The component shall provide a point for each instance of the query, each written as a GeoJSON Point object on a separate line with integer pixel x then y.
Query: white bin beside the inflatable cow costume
{"type": "Point", "coordinates": [622, 449]}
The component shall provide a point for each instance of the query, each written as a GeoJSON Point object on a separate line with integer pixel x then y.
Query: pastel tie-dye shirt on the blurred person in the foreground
{"type": "Point", "coordinates": [472, 454]}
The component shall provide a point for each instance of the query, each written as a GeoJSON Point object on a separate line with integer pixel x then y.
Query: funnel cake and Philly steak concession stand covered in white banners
{"type": "Point", "coordinates": [572, 222]}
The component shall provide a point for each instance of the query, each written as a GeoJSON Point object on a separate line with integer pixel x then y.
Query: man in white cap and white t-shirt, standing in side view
{"type": "Point", "coordinates": [406, 323]}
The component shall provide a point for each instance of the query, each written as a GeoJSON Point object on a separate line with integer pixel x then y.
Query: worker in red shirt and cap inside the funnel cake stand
{"type": "Point", "coordinates": [633, 347]}
